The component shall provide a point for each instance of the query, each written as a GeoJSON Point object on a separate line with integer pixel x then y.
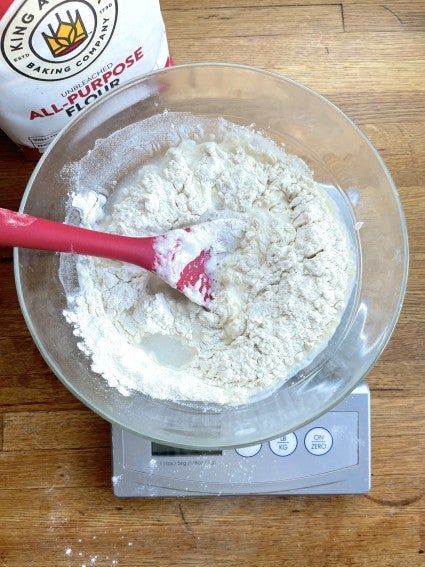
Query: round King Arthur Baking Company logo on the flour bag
{"type": "Point", "coordinates": [51, 40]}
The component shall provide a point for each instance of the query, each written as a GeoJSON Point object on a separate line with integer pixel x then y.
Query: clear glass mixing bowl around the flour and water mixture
{"type": "Point", "coordinates": [342, 159]}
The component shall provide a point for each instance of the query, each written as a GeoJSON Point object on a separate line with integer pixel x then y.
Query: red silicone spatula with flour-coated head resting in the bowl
{"type": "Point", "coordinates": [184, 258]}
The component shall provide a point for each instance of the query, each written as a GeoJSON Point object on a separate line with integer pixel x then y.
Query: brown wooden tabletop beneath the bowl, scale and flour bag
{"type": "Point", "coordinates": [56, 503]}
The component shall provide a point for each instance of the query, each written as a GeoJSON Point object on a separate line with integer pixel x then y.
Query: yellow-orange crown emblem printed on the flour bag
{"type": "Point", "coordinates": [68, 35]}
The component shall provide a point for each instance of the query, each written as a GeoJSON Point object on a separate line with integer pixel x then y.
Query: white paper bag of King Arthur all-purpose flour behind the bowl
{"type": "Point", "coordinates": [59, 56]}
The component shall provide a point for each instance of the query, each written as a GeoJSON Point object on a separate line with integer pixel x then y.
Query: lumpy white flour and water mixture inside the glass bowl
{"type": "Point", "coordinates": [279, 295]}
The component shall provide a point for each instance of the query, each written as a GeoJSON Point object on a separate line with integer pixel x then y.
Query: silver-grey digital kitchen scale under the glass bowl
{"type": "Point", "coordinates": [328, 456]}
